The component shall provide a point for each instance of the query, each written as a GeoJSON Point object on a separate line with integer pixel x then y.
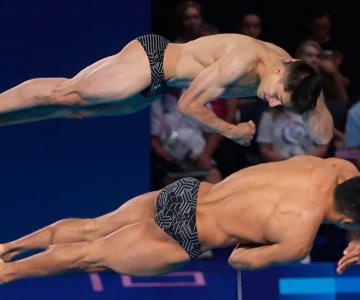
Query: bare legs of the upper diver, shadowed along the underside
{"type": "Point", "coordinates": [117, 78]}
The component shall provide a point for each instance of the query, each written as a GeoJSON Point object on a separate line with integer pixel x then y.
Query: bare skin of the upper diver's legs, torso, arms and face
{"type": "Point", "coordinates": [223, 65]}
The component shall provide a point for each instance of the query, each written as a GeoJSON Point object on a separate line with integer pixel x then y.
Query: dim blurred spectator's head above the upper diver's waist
{"type": "Point", "coordinates": [190, 18]}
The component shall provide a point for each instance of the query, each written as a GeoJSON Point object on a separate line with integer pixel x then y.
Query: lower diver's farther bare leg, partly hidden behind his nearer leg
{"type": "Point", "coordinates": [79, 230]}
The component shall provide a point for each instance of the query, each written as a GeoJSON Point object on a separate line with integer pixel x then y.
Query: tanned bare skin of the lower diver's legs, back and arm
{"type": "Point", "coordinates": [269, 212]}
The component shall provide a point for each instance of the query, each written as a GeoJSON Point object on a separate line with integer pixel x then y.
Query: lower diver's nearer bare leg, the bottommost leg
{"type": "Point", "coordinates": [138, 249]}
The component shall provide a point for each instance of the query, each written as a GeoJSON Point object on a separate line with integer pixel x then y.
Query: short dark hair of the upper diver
{"type": "Point", "coordinates": [304, 83]}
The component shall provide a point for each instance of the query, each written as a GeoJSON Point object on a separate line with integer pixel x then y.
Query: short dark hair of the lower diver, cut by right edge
{"type": "Point", "coordinates": [347, 198]}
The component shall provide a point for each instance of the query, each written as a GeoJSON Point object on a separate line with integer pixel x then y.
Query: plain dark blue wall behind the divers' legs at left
{"type": "Point", "coordinates": [67, 168]}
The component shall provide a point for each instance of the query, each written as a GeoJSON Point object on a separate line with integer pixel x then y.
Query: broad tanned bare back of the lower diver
{"type": "Point", "coordinates": [258, 204]}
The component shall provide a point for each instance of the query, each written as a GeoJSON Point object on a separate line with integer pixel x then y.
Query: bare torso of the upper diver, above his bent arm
{"type": "Point", "coordinates": [184, 62]}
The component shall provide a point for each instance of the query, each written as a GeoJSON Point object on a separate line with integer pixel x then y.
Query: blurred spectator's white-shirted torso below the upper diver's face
{"type": "Point", "coordinates": [282, 134]}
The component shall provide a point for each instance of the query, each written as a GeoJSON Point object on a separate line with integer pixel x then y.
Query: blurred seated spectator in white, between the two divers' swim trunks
{"type": "Point", "coordinates": [180, 147]}
